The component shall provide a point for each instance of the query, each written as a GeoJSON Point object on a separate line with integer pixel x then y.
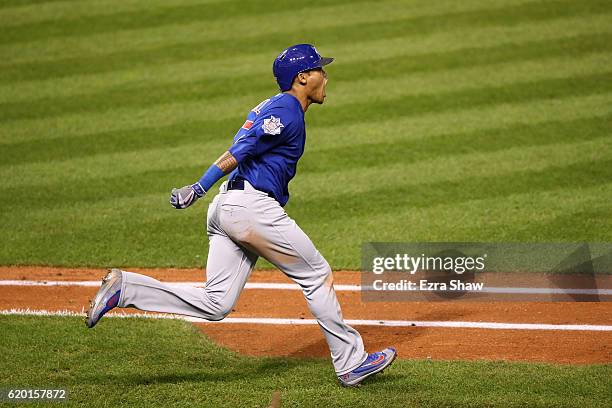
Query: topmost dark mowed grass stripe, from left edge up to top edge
{"type": "Point", "coordinates": [148, 17]}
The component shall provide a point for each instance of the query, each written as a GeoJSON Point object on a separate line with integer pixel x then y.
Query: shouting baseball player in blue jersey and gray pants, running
{"type": "Point", "coordinates": [246, 220]}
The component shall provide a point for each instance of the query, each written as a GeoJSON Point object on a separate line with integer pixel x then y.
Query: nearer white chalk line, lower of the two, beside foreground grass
{"type": "Point", "coordinates": [312, 322]}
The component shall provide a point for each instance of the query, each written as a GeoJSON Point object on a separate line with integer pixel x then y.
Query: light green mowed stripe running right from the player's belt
{"type": "Point", "coordinates": [448, 167]}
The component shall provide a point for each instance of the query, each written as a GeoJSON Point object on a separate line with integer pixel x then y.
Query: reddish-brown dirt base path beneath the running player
{"type": "Point", "coordinates": [306, 340]}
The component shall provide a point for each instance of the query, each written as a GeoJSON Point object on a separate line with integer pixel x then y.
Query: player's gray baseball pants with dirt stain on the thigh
{"type": "Point", "coordinates": [243, 225]}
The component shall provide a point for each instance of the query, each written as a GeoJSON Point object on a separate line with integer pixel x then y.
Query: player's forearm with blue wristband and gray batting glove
{"type": "Point", "coordinates": [181, 198]}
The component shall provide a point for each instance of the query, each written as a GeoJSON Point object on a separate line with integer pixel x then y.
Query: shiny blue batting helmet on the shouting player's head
{"type": "Point", "coordinates": [295, 59]}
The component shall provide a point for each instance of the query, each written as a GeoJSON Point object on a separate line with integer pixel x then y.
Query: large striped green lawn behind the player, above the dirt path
{"type": "Point", "coordinates": [445, 121]}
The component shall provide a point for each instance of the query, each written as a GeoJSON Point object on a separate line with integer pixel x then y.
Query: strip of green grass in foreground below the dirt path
{"type": "Point", "coordinates": [142, 362]}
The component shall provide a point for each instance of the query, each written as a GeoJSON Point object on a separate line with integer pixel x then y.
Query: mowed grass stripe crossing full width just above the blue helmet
{"type": "Point", "coordinates": [382, 21]}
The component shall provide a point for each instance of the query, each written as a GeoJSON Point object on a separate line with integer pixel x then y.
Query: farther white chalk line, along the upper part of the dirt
{"type": "Point", "coordinates": [340, 288]}
